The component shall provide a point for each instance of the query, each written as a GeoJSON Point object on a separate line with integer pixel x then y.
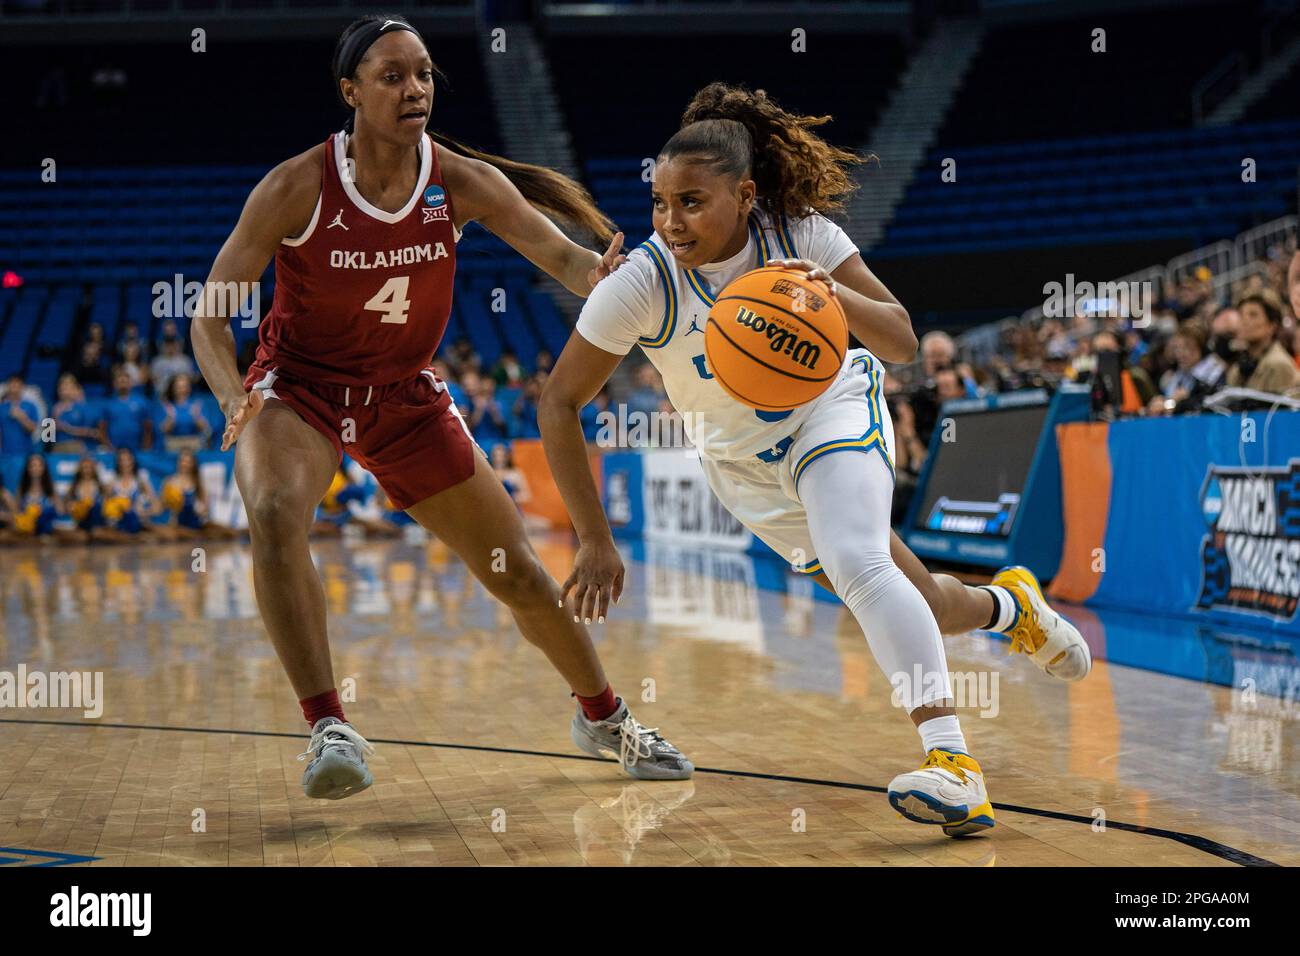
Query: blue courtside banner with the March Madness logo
{"type": "Point", "coordinates": [1204, 520]}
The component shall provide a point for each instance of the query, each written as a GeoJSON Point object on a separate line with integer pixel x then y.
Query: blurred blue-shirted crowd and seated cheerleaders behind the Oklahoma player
{"type": "Point", "coordinates": [118, 401]}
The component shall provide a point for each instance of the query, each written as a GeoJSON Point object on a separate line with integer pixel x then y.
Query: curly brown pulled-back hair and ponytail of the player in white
{"type": "Point", "coordinates": [738, 132]}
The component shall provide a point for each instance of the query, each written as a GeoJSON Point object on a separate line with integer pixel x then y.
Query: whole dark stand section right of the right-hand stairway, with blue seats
{"type": "Point", "coordinates": [1060, 146]}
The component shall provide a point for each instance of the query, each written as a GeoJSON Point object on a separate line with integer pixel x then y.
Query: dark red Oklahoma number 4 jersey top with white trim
{"type": "Point", "coordinates": [363, 296]}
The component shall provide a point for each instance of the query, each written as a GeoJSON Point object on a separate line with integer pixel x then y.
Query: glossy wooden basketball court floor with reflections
{"type": "Point", "coordinates": [1180, 749]}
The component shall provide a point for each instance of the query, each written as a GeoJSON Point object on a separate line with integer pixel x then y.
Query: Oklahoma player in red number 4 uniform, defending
{"type": "Point", "coordinates": [363, 230]}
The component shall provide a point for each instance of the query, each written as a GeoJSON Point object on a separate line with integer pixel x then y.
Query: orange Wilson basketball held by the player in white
{"type": "Point", "coordinates": [775, 340]}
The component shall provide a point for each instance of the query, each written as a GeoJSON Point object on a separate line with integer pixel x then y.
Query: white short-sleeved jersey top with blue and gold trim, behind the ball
{"type": "Point", "coordinates": [655, 302]}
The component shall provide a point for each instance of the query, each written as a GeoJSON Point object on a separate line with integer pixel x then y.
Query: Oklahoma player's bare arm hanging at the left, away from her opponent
{"type": "Point", "coordinates": [280, 206]}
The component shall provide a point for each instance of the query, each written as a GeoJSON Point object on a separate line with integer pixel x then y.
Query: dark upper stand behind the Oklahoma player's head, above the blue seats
{"type": "Point", "coordinates": [237, 103]}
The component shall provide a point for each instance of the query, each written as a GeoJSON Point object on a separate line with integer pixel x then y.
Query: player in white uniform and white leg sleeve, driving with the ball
{"type": "Point", "coordinates": [721, 210]}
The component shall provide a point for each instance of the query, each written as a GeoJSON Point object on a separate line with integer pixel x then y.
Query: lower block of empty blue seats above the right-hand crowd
{"type": "Point", "coordinates": [1120, 188]}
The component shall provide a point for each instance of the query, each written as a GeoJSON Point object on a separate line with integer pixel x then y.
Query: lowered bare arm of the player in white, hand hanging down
{"type": "Point", "coordinates": [579, 374]}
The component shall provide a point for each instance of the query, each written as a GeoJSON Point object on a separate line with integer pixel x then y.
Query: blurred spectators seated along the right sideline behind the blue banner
{"type": "Point", "coordinates": [1199, 339]}
